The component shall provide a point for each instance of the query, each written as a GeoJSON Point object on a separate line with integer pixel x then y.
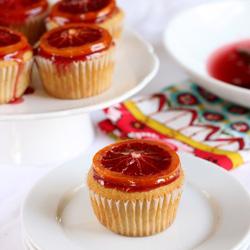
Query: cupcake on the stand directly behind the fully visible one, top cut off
{"type": "Point", "coordinates": [103, 13]}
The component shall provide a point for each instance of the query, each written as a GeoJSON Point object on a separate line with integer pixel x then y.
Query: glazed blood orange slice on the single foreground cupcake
{"type": "Point", "coordinates": [137, 163]}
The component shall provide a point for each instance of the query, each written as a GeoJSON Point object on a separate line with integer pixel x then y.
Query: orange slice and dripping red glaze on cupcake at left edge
{"type": "Point", "coordinates": [13, 45]}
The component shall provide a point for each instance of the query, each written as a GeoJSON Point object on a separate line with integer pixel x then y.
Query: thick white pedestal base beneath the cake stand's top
{"type": "Point", "coordinates": [45, 141]}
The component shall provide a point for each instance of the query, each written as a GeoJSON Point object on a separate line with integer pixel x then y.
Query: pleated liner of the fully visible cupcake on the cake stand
{"type": "Point", "coordinates": [79, 79]}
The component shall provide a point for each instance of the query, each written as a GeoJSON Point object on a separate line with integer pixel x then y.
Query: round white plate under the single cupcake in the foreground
{"type": "Point", "coordinates": [213, 213]}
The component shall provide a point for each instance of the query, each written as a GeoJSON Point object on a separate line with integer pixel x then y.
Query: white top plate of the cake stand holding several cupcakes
{"type": "Point", "coordinates": [136, 65]}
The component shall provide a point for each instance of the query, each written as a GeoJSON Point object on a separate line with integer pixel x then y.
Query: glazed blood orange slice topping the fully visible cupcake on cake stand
{"type": "Point", "coordinates": [75, 40]}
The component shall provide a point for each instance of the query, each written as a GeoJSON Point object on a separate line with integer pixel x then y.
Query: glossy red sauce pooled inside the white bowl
{"type": "Point", "coordinates": [231, 64]}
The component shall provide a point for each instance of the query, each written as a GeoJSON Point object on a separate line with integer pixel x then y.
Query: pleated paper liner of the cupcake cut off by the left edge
{"type": "Point", "coordinates": [10, 86]}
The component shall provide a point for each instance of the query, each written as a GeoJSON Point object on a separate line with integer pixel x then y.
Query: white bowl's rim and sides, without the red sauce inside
{"type": "Point", "coordinates": [194, 34]}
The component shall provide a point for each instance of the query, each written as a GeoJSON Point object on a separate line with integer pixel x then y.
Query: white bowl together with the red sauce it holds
{"type": "Point", "coordinates": [211, 42]}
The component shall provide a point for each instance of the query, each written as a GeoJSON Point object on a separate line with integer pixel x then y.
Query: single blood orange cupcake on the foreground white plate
{"type": "Point", "coordinates": [135, 187]}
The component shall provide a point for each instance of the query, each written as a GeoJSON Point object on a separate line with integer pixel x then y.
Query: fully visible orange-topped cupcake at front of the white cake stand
{"type": "Point", "coordinates": [76, 61]}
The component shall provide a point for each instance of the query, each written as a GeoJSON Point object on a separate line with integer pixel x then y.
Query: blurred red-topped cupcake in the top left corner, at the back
{"type": "Point", "coordinates": [26, 16]}
